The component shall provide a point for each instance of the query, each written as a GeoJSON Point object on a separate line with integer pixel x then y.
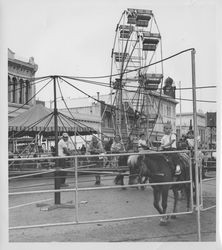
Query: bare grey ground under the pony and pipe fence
{"type": "Point", "coordinates": [102, 205]}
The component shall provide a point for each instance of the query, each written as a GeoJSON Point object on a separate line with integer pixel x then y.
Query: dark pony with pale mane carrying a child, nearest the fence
{"type": "Point", "coordinates": [158, 168]}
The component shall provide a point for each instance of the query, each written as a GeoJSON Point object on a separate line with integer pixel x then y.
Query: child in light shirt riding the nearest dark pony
{"type": "Point", "coordinates": [168, 143]}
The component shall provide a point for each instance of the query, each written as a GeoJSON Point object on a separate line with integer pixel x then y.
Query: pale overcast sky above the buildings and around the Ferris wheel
{"type": "Point", "coordinates": [75, 38]}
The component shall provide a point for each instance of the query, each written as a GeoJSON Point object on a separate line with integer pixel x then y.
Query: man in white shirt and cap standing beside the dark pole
{"type": "Point", "coordinates": [64, 149]}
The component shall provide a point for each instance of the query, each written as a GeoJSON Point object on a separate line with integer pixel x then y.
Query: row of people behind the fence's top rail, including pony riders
{"type": "Point", "coordinates": [115, 145]}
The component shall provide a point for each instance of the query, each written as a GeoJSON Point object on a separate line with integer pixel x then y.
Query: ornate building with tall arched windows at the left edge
{"type": "Point", "coordinates": [20, 86]}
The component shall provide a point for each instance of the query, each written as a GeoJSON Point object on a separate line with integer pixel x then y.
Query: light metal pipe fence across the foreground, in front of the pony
{"type": "Point", "coordinates": [77, 169]}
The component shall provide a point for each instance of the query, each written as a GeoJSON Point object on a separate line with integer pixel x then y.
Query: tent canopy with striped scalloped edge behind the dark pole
{"type": "Point", "coordinates": [41, 119]}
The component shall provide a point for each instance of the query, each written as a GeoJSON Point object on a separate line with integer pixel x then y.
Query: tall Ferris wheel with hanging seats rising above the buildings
{"type": "Point", "coordinates": [137, 44]}
